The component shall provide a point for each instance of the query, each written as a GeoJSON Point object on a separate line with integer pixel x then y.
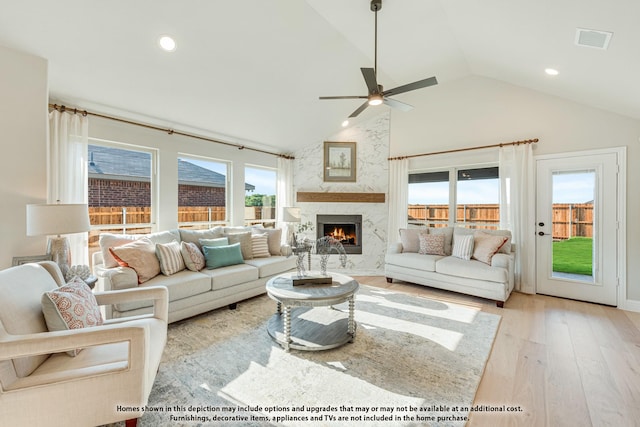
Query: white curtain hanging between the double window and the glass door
{"type": "Point", "coordinates": [517, 210]}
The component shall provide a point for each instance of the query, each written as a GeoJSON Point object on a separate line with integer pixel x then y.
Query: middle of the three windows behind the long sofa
{"type": "Point", "coordinates": [202, 192]}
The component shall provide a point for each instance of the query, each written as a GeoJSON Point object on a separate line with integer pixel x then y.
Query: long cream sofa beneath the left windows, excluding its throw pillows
{"type": "Point", "coordinates": [193, 292]}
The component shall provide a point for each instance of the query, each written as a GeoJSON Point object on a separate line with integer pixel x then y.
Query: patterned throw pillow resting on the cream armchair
{"type": "Point", "coordinates": [71, 306]}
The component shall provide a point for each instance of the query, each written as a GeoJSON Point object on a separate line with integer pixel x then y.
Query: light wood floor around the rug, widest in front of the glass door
{"type": "Point", "coordinates": [563, 362]}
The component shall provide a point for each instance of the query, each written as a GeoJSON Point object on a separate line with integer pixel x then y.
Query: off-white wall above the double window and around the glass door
{"type": "Point", "coordinates": [478, 111]}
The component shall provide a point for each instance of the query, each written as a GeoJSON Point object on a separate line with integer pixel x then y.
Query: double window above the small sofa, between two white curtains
{"type": "Point", "coordinates": [471, 199]}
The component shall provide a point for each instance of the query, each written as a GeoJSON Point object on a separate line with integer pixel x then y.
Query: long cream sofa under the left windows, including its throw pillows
{"type": "Point", "coordinates": [224, 280]}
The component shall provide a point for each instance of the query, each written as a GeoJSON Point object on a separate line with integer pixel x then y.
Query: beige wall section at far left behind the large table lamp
{"type": "Point", "coordinates": [23, 121]}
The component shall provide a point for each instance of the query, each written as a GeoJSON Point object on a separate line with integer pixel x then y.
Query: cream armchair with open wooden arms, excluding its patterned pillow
{"type": "Point", "coordinates": [108, 381]}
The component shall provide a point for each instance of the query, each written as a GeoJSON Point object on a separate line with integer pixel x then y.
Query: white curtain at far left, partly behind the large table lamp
{"type": "Point", "coordinates": [67, 170]}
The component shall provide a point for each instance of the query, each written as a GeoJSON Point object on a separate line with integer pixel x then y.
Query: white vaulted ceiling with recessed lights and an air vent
{"type": "Point", "coordinates": [252, 70]}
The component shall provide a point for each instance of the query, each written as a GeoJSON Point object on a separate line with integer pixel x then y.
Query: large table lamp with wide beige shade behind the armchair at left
{"type": "Point", "coordinates": [56, 220]}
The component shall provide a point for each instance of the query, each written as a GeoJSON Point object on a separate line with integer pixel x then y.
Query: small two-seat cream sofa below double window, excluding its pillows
{"type": "Point", "coordinates": [493, 280]}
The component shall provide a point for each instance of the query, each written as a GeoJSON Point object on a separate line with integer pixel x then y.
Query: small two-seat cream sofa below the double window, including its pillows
{"type": "Point", "coordinates": [473, 262]}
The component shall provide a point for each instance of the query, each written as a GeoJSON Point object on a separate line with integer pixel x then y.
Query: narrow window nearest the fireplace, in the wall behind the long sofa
{"type": "Point", "coordinates": [260, 196]}
